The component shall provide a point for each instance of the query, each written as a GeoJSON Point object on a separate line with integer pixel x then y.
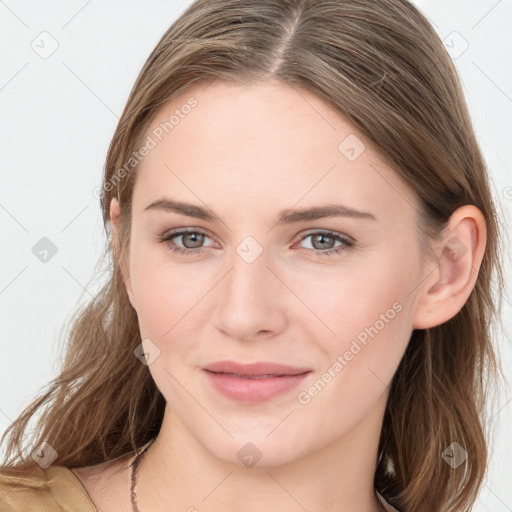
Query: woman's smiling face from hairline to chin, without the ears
{"type": "Point", "coordinates": [334, 295]}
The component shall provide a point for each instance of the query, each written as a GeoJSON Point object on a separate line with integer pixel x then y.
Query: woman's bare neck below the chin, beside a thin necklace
{"type": "Point", "coordinates": [179, 471]}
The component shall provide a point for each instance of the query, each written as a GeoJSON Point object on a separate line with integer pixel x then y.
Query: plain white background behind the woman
{"type": "Point", "coordinates": [58, 115]}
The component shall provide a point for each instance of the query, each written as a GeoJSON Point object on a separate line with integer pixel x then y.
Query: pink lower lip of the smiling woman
{"type": "Point", "coordinates": [253, 391]}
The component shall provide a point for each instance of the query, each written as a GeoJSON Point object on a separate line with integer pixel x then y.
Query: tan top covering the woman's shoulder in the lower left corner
{"type": "Point", "coordinates": [55, 488]}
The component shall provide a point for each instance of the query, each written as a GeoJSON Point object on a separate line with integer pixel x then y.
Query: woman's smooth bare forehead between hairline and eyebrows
{"type": "Point", "coordinates": [262, 145]}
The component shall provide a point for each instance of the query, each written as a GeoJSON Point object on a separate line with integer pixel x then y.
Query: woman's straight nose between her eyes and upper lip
{"type": "Point", "coordinates": [252, 299]}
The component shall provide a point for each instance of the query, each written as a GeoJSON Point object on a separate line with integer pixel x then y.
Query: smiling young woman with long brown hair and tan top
{"type": "Point", "coordinates": [304, 249]}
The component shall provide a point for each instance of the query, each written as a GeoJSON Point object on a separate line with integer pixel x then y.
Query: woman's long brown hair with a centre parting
{"type": "Point", "coordinates": [382, 65]}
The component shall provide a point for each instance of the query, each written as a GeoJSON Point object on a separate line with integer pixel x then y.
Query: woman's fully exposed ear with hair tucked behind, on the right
{"type": "Point", "coordinates": [450, 282]}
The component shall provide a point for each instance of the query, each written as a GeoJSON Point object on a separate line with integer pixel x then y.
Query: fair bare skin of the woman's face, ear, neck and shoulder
{"type": "Point", "coordinates": [246, 153]}
